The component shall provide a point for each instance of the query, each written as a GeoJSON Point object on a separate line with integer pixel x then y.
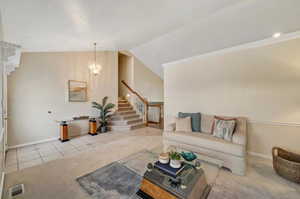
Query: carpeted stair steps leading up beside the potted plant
{"type": "Point", "coordinates": [125, 118]}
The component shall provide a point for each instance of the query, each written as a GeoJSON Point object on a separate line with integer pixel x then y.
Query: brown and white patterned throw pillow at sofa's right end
{"type": "Point", "coordinates": [224, 128]}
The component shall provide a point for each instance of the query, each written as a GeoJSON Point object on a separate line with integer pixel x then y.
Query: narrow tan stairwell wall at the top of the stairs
{"type": "Point", "coordinates": [125, 73]}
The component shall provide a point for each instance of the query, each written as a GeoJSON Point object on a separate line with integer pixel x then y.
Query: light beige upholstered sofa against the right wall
{"type": "Point", "coordinates": [232, 154]}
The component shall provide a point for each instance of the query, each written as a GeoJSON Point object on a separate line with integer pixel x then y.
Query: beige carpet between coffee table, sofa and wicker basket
{"type": "Point", "coordinates": [261, 182]}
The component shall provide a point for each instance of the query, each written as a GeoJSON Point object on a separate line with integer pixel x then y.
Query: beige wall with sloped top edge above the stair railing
{"type": "Point", "coordinates": [147, 83]}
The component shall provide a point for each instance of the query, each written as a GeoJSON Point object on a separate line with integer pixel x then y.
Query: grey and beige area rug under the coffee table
{"type": "Point", "coordinates": [121, 179]}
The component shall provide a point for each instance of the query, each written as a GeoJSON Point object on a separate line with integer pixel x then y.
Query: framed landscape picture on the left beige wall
{"type": "Point", "coordinates": [77, 91]}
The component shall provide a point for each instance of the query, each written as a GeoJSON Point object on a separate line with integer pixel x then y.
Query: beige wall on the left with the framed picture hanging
{"type": "Point", "coordinates": [40, 85]}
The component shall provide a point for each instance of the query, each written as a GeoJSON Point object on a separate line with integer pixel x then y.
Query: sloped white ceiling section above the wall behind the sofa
{"type": "Point", "coordinates": [245, 22]}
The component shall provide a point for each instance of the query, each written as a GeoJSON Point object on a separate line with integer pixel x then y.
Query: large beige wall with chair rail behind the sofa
{"type": "Point", "coordinates": [260, 83]}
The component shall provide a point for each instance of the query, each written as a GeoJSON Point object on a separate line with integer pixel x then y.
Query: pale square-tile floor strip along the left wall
{"type": "Point", "coordinates": [20, 158]}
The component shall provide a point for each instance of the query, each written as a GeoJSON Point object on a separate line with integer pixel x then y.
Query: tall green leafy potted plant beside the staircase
{"type": "Point", "coordinates": [105, 113]}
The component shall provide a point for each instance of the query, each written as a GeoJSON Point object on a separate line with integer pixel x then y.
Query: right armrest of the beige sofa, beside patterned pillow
{"type": "Point", "coordinates": [240, 134]}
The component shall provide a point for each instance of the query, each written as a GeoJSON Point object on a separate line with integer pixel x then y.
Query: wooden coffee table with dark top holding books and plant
{"type": "Point", "coordinates": [189, 184]}
